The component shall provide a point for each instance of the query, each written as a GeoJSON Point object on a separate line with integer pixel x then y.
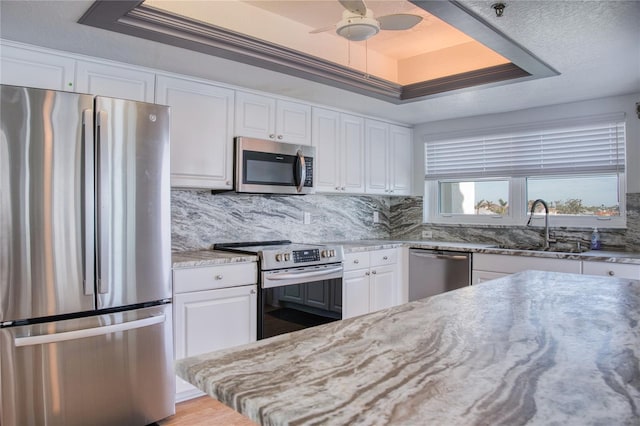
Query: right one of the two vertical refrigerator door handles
{"type": "Point", "coordinates": [102, 251]}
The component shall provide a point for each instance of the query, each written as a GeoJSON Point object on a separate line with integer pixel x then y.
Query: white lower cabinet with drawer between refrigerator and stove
{"type": "Point", "coordinates": [214, 317]}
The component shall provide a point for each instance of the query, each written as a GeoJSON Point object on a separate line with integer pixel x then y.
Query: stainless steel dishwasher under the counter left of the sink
{"type": "Point", "coordinates": [436, 271]}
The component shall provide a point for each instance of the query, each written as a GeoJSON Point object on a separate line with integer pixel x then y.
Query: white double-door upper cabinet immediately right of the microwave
{"type": "Point", "coordinates": [339, 140]}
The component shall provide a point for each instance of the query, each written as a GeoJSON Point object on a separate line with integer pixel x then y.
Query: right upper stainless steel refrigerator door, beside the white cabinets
{"type": "Point", "coordinates": [134, 230]}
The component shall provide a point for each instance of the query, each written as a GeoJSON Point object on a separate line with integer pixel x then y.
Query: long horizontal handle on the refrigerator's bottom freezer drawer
{"type": "Point", "coordinates": [88, 332]}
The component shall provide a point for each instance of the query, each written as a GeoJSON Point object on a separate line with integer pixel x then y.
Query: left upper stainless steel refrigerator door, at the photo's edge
{"type": "Point", "coordinates": [45, 185]}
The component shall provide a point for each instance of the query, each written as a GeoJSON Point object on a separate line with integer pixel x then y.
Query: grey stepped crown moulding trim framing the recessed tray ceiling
{"type": "Point", "coordinates": [135, 19]}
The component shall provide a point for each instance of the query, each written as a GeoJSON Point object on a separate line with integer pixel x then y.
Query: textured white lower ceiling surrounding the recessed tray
{"type": "Point", "coordinates": [595, 45]}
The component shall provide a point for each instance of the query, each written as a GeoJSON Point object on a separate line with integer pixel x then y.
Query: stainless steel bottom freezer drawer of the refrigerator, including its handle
{"type": "Point", "coordinates": [114, 369]}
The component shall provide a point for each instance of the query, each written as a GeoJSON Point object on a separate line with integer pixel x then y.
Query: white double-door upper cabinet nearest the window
{"type": "Point", "coordinates": [389, 158]}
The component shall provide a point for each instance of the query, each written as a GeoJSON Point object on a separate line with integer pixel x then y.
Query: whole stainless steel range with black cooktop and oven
{"type": "Point", "coordinates": [300, 285]}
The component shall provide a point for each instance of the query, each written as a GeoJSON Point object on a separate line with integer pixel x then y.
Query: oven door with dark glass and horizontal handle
{"type": "Point", "coordinates": [298, 298]}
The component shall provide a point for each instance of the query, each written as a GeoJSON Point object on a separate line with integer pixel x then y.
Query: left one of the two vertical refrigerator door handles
{"type": "Point", "coordinates": [89, 202]}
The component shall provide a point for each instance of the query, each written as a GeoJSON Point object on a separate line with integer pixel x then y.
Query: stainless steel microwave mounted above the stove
{"type": "Point", "coordinates": [268, 167]}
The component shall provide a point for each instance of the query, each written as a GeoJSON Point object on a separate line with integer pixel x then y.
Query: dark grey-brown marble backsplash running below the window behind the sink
{"type": "Point", "coordinates": [406, 224]}
